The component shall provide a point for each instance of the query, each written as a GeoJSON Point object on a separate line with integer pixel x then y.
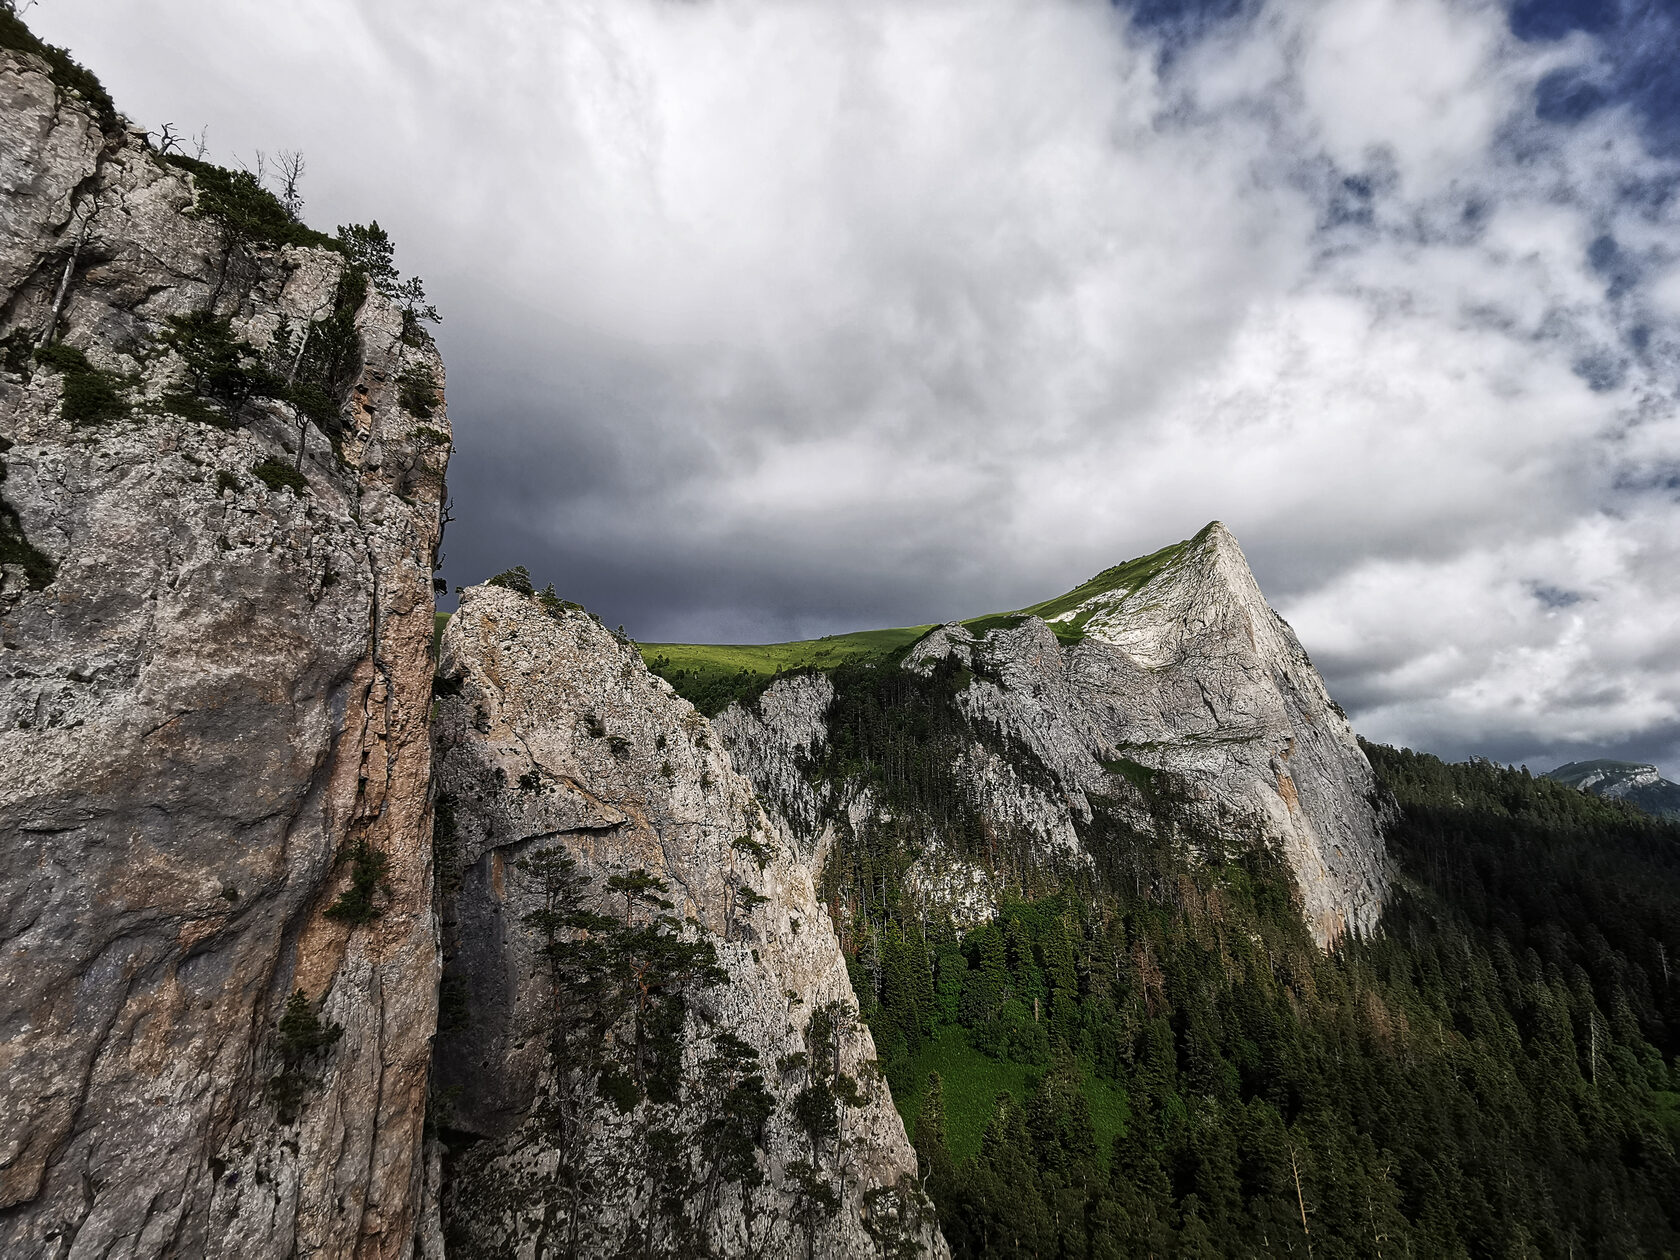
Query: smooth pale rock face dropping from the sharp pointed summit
{"type": "Point", "coordinates": [1194, 673]}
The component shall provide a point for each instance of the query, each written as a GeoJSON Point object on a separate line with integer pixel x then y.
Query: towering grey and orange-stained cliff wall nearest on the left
{"type": "Point", "coordinates": [211, 693]}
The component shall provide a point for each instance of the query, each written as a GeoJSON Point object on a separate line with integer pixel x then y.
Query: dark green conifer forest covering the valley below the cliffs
{"type": "Point", "coordinates": [1152, 1059]}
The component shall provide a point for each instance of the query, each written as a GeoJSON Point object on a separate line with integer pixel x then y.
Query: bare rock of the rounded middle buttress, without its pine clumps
{"type": "Point", "coordinates": [552, 732]}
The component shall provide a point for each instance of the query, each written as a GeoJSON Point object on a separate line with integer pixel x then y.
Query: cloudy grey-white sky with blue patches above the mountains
{"type": "Point", "coordinates": [774, 318]}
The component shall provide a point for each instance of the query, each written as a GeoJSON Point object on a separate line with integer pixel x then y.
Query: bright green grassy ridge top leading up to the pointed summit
{"type": "Point", "coordinates": [711, 676]}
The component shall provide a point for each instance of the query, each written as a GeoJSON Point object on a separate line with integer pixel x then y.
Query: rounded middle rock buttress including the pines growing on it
{"type": "Point", "coordinates": [554, 735]}
